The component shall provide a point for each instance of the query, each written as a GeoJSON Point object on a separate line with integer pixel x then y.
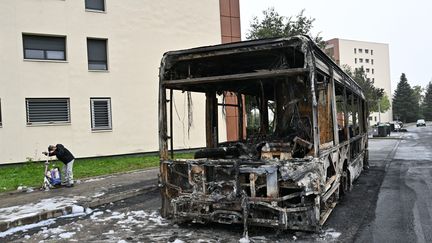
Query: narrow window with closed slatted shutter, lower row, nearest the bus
{"type": "Point", "coordinates": [100, 114]}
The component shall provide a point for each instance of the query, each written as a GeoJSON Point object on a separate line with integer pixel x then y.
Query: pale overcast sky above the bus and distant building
{"type": "Point", "coordinates": [404, 24]}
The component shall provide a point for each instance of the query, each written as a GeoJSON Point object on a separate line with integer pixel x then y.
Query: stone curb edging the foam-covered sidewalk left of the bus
{"type": "Point", "coordinates": [44, 215]}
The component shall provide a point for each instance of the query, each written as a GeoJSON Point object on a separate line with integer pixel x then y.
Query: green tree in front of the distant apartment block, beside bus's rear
{"type": "Point", "coordinates": [373, 95]}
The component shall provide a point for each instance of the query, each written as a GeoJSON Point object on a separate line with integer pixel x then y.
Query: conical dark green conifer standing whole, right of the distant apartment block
{"type": "Point", "coordinates": [405, 105]}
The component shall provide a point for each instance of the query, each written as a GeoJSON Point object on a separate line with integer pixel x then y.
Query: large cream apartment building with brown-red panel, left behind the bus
{"type": "Point", "coordinates": [84, 73]}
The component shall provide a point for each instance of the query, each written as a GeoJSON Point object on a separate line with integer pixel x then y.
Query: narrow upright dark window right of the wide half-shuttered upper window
{"type": "Point", "coordinates": [97, 54]}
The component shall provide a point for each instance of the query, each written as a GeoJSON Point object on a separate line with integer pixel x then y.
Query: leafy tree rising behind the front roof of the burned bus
{"type": "Point", "coordinates": [274, 25]}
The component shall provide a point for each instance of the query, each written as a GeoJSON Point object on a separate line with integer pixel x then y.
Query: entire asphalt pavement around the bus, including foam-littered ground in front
{"type": "Point", "coordinates": [390, 202]}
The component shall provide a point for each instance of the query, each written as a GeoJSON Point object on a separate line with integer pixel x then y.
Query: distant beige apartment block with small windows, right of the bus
{"type": "Point", "coordinates": [373, 57]}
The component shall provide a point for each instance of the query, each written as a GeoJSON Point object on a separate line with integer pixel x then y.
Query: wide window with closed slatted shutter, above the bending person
{"type": "Point", "coordinates": [47, 110]}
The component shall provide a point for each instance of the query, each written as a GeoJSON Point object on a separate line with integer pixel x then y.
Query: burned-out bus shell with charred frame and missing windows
{"type": "Point", "coordinates": [301, 134]}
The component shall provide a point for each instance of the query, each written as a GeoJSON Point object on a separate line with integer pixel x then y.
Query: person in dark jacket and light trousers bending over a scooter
{"type": "Point", "coordinates": [65, 156]}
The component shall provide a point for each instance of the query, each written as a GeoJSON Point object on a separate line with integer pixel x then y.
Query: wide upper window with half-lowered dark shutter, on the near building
{"type": "Point", "coordinates": [44, 47]}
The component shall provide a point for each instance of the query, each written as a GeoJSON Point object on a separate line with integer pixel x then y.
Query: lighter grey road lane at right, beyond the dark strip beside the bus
{"type": "Point", "coordinates": [404, 207]}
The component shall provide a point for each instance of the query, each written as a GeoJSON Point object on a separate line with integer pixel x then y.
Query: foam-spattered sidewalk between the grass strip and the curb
{"type": "Point", "coordinates": [24, 208]}
